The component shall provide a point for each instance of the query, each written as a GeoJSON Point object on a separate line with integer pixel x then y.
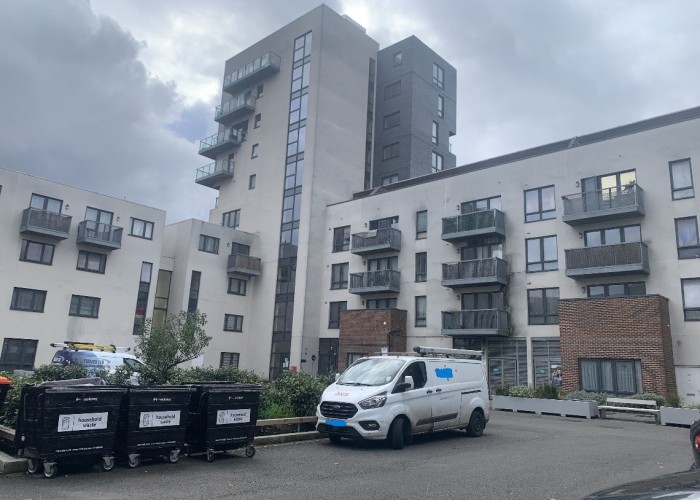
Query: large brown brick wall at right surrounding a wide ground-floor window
{"type": "Point", "coordinates": [621, 328]}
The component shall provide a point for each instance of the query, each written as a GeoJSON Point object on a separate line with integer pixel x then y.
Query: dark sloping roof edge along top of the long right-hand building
{"type": "Point", "coordinates": [554, 147]}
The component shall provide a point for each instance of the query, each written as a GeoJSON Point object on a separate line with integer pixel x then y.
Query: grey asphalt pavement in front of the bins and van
{"type": "Point", "coordinates": [520, 456]}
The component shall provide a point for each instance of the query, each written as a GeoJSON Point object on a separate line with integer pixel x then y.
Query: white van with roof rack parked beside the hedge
{"type": "Point", "coordinates": [396, 397]}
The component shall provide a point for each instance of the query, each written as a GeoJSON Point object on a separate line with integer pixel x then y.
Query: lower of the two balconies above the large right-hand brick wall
{"type": "Point", "coordinates": [607, 260]}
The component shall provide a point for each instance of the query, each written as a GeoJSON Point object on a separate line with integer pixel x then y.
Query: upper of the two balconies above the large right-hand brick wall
{"type": "Point", "coordinates": [620, 202]}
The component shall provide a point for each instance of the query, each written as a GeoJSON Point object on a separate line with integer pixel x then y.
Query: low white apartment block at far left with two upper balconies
{"type": "Point", "coordinates": [75, 265]}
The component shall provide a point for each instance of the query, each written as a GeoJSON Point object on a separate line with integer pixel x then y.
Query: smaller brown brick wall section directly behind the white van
{"type": "Point", "coordinates": [368, 330]}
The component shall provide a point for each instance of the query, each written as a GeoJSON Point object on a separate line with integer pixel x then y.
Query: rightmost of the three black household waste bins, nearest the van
{"type": "Point", "coordinates": [222, 417]}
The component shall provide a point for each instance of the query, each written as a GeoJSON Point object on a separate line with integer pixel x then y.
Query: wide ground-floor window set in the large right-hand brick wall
{"type": "Point", "coordinates": [617, 376]}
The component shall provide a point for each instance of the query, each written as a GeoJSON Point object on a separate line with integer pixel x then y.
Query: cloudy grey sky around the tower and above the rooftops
{"type": "Point", "coordinates": [114, 95]}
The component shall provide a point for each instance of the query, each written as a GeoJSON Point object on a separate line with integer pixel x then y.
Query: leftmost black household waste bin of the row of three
{"type": "Point", "coordinates": [67, 422]}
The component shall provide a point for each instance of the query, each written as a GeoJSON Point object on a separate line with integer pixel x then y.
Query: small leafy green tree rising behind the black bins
{"type": "Point", "coordinates": [181, 337]}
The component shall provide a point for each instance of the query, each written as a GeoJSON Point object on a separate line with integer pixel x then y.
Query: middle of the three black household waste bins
{"type": "Point", "coordinates": [152, 423]}
